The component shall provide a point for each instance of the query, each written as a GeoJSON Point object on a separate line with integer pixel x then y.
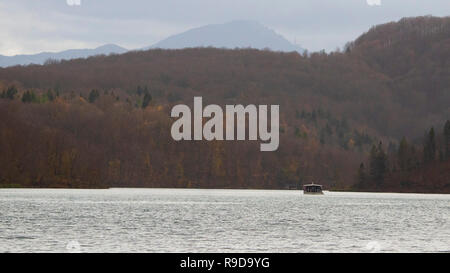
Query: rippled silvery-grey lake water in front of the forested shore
{"type": "Point", "coordinates": [185, 220]}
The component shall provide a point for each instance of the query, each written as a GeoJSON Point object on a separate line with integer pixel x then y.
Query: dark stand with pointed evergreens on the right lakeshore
{"type": "Point", "coordinates": [419, 167]}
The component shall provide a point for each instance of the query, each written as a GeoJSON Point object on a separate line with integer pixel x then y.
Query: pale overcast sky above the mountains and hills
{"type": "Point", "coordinates": [31, 26]}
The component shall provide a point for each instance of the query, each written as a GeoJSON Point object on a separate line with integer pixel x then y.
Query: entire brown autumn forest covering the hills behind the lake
{"type": "Point", "coordinates": [357, 118]}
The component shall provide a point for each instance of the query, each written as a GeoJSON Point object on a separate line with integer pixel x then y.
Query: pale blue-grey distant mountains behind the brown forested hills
{"type": "Point", "coordinates": [235, 34]}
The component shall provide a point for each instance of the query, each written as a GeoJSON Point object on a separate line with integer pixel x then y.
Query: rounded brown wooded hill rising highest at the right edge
{"type": "Point", "coordinates": [414, 54]}
